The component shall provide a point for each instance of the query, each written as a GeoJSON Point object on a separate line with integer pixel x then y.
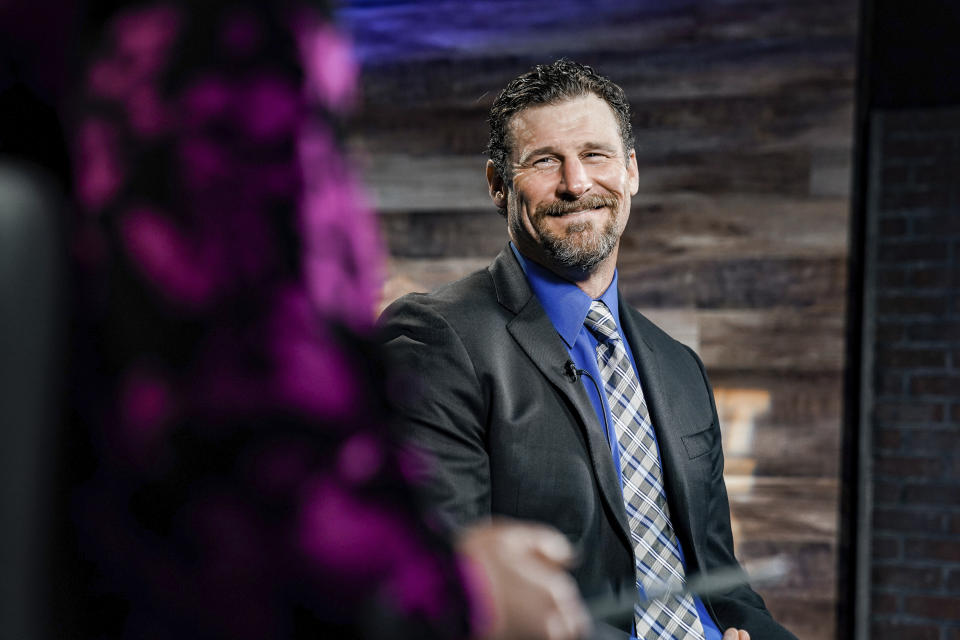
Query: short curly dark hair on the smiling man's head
{"type": "Point", "coordinates": [549, 84]}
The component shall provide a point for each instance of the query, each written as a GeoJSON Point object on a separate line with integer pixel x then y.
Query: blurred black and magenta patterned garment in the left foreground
{"type": "Point", "coordinates": [241, 478]}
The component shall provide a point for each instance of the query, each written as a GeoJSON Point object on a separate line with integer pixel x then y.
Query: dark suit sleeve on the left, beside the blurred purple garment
{"type": "Point", "coordinates": [440, 406]}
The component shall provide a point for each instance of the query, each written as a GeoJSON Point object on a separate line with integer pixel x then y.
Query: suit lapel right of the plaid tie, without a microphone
{"type": "Point", "coordinates": [669, 429]}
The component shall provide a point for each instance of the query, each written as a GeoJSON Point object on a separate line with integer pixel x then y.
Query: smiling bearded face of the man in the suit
{"type": "Point", "coordinates": [569, 198]}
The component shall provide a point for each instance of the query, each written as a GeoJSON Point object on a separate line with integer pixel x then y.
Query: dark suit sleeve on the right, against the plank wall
{"type": "Point", "coordinates": [740, 607]}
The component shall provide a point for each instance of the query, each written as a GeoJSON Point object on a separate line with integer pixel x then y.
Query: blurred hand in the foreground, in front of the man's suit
{"type": "Point", "coordinates": [530, 593]}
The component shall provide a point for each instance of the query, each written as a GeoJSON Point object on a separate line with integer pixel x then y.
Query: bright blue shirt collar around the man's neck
{"type": "Point", "coordinates": [565, 303]}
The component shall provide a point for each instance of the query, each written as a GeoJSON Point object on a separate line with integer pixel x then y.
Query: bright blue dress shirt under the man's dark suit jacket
{"type": "Point", "coordinates": [567, 306]}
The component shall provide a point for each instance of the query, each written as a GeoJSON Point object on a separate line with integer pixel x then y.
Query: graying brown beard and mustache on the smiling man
{"type": "Point", "coordinates": [580, 246]}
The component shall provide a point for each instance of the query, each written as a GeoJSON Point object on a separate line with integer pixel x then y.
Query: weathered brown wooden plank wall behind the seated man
{"type": "Point", "coordinates": [738, 238]}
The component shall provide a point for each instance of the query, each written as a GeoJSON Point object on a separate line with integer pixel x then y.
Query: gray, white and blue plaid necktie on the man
{"type": "Point", "coordinates": [654, 542]}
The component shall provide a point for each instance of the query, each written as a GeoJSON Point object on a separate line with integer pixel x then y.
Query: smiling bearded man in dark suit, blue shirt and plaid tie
{"type": "Point", "coordinates": [542, 396]}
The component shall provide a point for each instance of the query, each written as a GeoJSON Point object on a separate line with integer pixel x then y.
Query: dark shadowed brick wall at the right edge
{"type": "Point", "coordinates": [913, 333]}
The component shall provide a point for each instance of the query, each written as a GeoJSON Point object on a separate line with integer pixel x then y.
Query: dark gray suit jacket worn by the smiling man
{"type": "Point", "coordinates": [513, 435]}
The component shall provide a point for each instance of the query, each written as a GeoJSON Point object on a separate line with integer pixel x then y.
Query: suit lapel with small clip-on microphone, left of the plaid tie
{"type": "Point", "coordinates": [536, 335]}
